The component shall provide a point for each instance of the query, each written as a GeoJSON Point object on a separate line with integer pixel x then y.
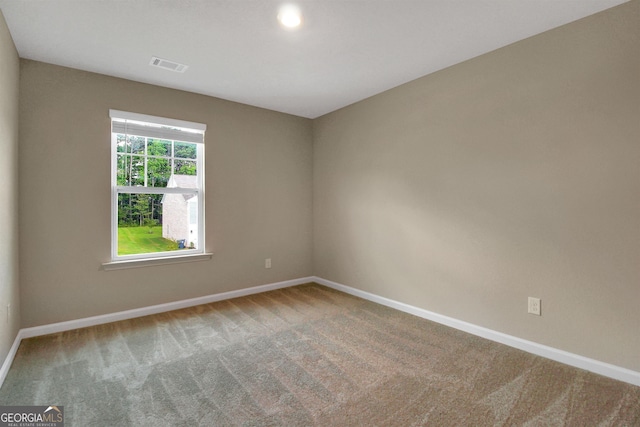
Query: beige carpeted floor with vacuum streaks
{"type": "Point", "coordinates": [302, 356]}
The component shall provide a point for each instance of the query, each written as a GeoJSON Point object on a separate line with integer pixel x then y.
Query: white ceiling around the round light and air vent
{"type": "Point", "coordinates": [347, 50]}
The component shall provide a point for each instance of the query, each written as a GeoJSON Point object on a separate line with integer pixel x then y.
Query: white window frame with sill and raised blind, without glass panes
{"type": "Point", "coordinates": [161, 128]}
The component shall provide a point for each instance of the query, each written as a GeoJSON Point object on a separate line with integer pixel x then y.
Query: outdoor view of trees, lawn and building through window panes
{"type": "Point", "coordinates": [145, 222]}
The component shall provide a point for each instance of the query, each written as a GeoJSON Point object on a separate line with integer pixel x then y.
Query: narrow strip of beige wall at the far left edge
{"type": "Point", "coordinates": [9, 290]}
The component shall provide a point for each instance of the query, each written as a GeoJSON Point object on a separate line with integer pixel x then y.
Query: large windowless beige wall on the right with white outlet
{"type": "Point", "coordinates": [514, 174]}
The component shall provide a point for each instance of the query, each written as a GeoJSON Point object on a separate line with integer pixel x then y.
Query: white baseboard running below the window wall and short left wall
{"type": "Point", "coordinates": [138, 312]}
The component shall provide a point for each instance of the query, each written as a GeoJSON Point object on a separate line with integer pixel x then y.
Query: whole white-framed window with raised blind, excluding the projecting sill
{"type": "Point", "coordinates": [157, 177]}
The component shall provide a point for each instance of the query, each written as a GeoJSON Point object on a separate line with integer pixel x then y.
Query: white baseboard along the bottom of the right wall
{"type": "Point", "coordinates": [592, 365]}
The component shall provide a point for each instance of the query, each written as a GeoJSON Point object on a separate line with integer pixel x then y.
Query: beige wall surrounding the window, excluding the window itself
{"type": "Point", "coordinates": [258, 196]}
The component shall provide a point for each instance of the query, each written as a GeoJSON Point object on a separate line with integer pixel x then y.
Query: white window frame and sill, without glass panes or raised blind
{"type": "Point", "coordinates": [157, 258]}
